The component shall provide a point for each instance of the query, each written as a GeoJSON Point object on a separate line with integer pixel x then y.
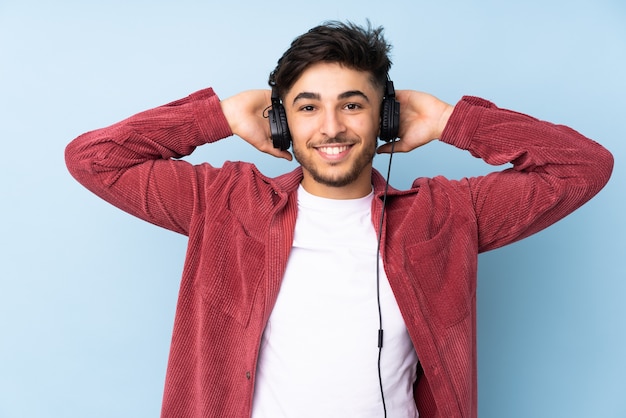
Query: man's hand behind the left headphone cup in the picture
{"type": "Point", "coordinates": [245, 115]}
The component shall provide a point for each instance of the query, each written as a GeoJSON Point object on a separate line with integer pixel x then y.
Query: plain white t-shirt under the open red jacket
{"type": "Point", "coordinates": [319, 352]}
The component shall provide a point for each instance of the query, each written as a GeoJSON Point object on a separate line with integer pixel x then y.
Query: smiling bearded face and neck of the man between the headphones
{"type": "Point", "coordinates": [334, 117]}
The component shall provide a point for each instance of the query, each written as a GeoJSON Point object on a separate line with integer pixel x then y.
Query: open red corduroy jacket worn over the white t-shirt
{"type": "Point", "coordinates": [240, 226]}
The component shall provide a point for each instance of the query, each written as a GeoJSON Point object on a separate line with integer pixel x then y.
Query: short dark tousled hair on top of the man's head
{"type": "Point", "coordinates": [353, 46]}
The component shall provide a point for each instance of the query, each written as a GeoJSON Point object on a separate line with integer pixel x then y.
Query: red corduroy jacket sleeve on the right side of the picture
{"type": "Point", "coordinates": [555, 170]}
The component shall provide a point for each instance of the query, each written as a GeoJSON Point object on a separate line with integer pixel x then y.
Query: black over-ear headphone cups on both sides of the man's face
{"type": "Point", "coordinates": [389, 118]}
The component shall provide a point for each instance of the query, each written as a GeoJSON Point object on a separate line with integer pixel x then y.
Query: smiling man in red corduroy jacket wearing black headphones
{"type": "Point", "coordinates": [289, 282]}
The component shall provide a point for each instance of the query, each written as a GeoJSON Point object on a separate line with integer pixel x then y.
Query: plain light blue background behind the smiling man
{"type": "Point", "coordinates": [87, 293]}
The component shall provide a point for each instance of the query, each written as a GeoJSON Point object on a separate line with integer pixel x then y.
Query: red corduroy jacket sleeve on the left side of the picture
{"type": "Point", "coordinates": [134, 164]}
